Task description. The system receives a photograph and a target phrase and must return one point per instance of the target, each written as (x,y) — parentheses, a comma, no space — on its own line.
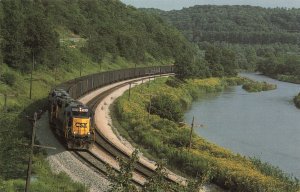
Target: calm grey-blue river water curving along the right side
(265,125)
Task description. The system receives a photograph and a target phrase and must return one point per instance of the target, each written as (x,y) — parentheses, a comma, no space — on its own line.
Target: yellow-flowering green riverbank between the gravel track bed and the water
(164,138)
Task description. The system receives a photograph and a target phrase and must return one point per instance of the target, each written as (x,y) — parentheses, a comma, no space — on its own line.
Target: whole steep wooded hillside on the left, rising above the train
(31,29)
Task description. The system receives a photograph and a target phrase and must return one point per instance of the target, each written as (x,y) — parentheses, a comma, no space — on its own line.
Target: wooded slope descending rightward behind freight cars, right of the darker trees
(114,28)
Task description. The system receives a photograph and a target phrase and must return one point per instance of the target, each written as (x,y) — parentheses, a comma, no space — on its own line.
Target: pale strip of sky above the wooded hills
(179,4)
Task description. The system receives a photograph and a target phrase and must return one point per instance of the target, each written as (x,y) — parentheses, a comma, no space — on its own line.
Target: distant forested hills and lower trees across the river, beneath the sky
(262,39)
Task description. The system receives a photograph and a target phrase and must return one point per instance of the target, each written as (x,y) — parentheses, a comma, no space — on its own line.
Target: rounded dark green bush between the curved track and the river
(166,107)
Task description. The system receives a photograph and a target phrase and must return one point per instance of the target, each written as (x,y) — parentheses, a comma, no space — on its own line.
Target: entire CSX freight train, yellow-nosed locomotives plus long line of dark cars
(72,120)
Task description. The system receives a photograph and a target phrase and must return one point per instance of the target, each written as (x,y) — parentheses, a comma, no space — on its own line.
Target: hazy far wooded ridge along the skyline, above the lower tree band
(236,24)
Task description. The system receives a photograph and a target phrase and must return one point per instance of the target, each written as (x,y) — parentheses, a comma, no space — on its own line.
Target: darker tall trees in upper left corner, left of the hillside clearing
(27,32)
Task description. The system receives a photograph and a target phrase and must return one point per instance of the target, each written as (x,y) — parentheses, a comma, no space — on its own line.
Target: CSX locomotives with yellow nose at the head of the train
(71,120)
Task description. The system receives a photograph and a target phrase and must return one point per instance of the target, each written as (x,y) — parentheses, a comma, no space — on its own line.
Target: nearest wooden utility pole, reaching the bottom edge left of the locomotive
(31,151)
